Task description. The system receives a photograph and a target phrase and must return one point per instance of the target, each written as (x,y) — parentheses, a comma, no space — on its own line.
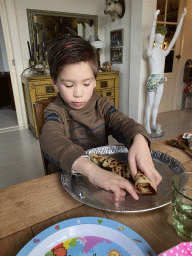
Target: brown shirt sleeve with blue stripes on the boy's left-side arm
(55,144)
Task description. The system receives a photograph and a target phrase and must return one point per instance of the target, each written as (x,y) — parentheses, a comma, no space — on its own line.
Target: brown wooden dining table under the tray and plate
(30,207)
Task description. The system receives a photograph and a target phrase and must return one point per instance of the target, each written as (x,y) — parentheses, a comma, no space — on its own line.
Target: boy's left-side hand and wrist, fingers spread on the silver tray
(104,179)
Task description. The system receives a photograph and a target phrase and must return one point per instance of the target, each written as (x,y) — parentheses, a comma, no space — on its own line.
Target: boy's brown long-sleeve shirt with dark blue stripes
(68,133)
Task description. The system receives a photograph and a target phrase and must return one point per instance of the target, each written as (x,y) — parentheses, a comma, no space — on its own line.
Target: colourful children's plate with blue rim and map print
(87,236)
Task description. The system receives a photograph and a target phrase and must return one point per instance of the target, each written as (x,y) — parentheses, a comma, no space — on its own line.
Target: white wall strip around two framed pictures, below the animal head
(124,68)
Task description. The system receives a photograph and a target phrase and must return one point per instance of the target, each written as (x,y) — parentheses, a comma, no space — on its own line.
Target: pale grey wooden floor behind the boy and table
(20,157)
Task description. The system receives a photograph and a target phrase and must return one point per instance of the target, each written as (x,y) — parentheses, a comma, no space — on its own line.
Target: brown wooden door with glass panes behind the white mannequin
(170,12)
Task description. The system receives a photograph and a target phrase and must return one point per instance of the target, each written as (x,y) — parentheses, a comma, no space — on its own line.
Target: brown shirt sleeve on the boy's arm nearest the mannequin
(120,126)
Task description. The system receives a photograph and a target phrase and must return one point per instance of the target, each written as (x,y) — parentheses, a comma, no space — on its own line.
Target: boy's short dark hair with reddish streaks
(68,50)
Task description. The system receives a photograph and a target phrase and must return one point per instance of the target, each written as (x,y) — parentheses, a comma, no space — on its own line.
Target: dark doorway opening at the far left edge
(8,116)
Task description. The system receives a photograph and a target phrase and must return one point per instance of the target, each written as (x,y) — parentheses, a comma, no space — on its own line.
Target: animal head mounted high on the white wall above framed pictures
(115,7)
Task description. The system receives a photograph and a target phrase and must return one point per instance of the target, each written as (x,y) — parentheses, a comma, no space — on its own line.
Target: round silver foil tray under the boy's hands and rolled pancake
(82,190)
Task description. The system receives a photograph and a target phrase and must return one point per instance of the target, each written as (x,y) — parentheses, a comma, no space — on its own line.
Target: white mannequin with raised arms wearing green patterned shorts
(157,78)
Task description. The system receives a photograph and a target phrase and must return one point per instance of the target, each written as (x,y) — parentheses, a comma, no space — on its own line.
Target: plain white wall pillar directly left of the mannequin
(141,20)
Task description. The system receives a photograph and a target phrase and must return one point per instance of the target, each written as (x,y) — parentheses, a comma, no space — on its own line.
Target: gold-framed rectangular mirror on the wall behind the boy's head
(47,25)
